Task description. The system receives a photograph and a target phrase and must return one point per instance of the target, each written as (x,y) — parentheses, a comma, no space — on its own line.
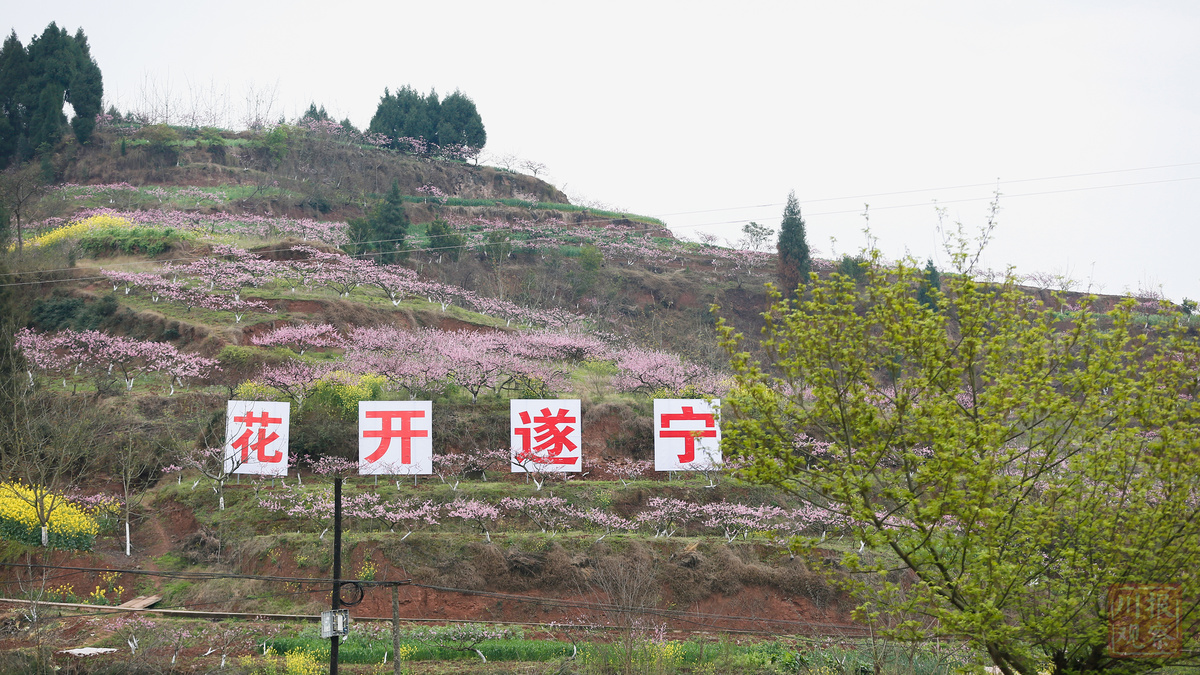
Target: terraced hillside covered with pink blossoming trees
(223,258)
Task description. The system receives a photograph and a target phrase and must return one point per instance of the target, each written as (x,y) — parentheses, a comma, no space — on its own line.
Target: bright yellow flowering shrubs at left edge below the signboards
(70,527)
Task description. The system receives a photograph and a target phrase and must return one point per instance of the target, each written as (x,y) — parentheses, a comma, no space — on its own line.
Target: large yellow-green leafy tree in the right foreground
(1013,465)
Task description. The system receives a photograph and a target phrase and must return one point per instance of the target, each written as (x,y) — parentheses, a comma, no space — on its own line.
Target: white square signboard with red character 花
(257,438)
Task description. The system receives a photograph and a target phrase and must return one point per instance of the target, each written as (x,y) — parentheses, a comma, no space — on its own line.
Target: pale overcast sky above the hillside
(707,115)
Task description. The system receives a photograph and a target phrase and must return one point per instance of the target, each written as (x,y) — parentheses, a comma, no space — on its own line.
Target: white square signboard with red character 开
(397,438)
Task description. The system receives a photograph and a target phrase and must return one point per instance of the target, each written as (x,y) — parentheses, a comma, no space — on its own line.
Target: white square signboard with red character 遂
(547,435)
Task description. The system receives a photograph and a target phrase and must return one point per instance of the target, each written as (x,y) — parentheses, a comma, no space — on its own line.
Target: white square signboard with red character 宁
(687,437)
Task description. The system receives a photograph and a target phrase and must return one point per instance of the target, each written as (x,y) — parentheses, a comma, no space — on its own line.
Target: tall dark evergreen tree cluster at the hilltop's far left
(35,82)
